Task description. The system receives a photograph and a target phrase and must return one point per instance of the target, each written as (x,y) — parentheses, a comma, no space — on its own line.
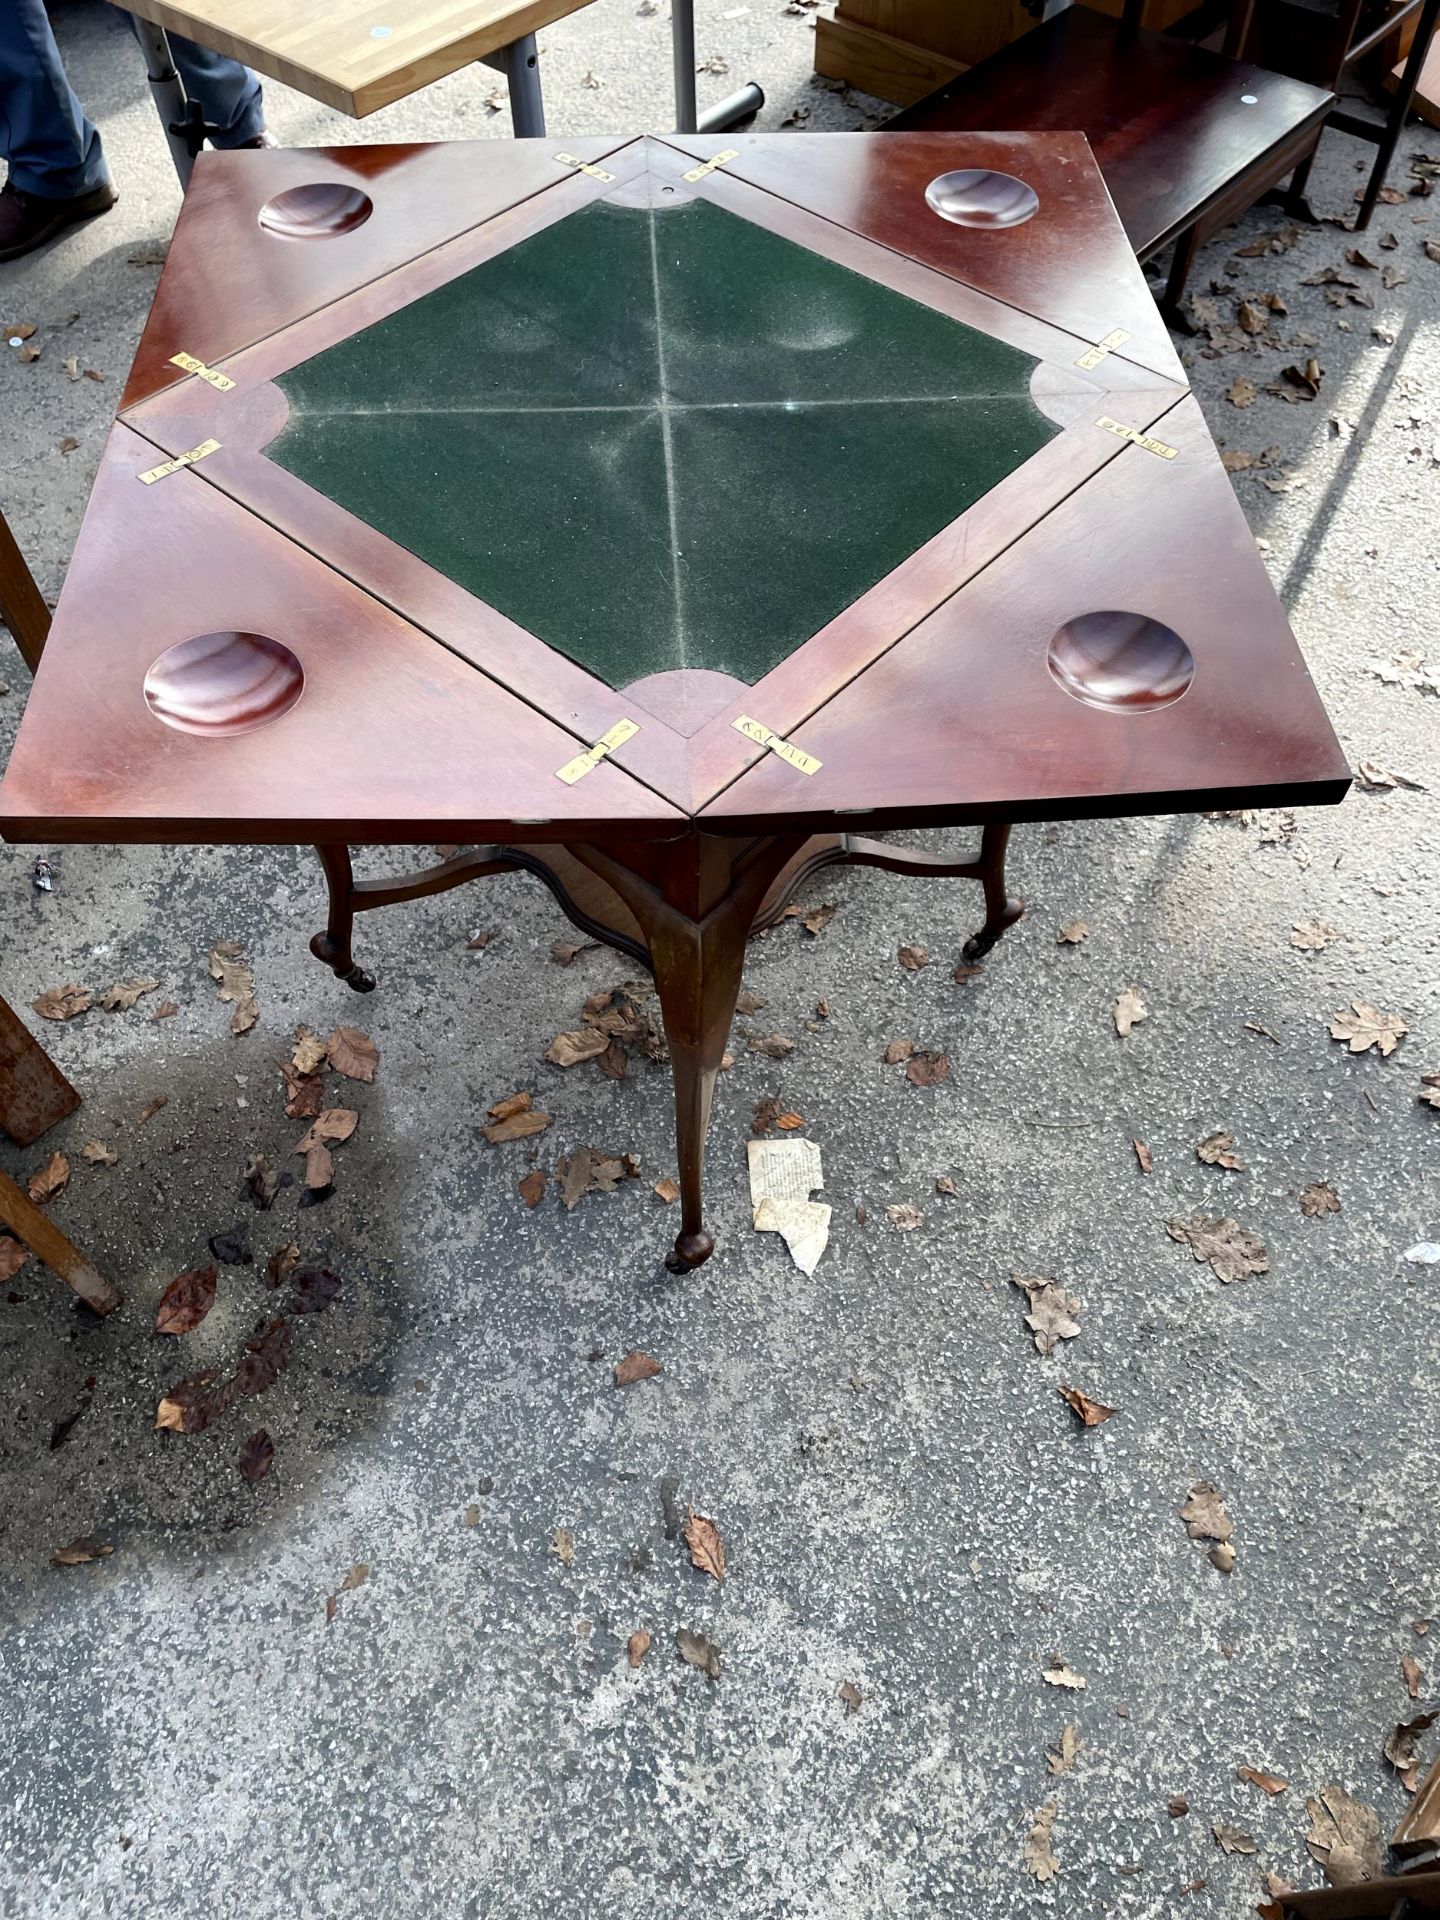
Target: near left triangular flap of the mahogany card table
(243,690)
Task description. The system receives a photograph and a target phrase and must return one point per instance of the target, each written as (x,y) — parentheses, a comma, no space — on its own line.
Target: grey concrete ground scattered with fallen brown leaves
(909,1506)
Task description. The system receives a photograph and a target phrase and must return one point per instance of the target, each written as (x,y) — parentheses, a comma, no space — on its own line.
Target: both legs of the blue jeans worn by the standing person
(45,133)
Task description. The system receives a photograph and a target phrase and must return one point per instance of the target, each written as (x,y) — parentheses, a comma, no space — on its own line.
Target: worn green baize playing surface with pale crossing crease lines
(661,439)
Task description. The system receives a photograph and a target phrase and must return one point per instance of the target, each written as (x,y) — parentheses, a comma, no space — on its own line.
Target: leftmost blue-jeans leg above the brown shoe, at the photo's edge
(45,133)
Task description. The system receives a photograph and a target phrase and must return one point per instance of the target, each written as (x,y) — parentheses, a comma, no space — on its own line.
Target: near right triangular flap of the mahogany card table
(1126,656)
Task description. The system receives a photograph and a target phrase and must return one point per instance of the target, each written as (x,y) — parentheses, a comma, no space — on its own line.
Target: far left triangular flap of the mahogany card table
(264,241)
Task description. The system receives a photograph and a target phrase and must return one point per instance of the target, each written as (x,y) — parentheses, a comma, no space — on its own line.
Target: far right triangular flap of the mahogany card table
(1070,264)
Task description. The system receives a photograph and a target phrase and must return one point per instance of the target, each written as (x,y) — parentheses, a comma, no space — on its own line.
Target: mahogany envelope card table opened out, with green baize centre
(665,517)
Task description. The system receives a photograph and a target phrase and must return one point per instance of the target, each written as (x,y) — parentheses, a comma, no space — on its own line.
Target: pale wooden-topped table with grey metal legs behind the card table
(358,57)
